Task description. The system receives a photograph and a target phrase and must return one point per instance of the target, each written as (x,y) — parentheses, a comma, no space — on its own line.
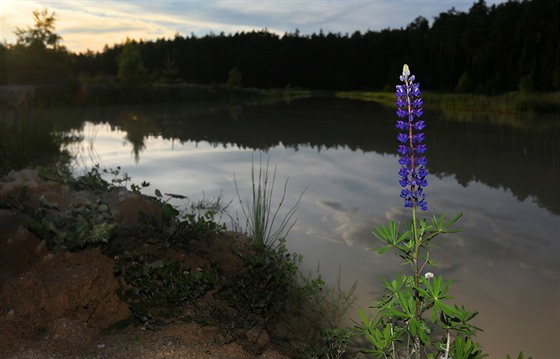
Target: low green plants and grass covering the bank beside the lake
(170,270)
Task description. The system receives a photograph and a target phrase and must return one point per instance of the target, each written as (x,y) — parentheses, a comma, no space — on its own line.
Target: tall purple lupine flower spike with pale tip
(411,147)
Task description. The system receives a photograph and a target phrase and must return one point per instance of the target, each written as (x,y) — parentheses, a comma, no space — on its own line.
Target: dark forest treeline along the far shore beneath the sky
(512,46)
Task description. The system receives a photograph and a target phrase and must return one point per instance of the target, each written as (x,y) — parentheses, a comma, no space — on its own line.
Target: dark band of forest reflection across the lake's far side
(525,160)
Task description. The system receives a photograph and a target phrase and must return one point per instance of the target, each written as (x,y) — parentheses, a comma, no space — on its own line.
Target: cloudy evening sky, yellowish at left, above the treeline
(90,25)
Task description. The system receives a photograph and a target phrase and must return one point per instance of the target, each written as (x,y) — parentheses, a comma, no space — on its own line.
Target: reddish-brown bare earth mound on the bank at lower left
(79,286)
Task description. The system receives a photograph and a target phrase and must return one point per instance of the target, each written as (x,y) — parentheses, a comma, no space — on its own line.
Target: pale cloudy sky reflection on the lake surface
(500,264)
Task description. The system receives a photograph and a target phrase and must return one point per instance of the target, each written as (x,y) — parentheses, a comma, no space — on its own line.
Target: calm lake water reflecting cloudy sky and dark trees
(502,174)
